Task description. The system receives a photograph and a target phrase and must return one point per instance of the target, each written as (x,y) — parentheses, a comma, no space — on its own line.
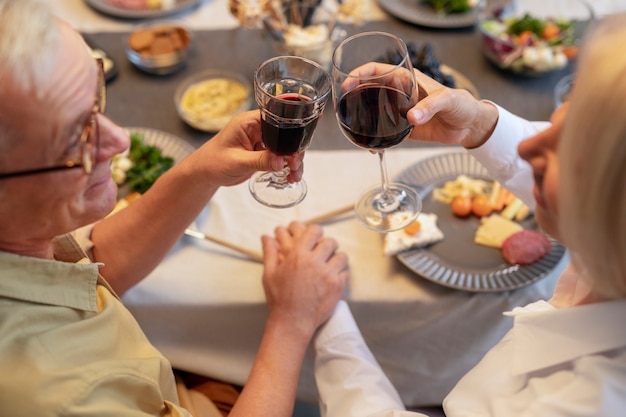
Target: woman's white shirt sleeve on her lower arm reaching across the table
(349,380)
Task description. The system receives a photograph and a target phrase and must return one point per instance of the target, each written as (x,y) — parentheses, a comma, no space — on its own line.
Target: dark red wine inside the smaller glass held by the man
(284,137)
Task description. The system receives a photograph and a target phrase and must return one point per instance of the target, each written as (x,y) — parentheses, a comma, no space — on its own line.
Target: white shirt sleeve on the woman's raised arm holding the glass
(499,154)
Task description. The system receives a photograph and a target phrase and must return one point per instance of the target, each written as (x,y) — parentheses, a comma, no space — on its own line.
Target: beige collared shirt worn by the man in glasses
(68,347)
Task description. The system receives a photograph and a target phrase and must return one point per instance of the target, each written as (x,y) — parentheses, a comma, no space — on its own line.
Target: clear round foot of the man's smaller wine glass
(274,191)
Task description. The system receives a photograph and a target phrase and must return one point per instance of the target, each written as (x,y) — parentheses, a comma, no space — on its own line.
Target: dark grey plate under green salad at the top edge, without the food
(414,11)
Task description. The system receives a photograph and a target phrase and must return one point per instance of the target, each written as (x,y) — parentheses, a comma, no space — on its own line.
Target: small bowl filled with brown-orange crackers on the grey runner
(158,48)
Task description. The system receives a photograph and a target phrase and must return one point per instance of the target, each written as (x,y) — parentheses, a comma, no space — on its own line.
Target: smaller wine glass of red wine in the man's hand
(291,93)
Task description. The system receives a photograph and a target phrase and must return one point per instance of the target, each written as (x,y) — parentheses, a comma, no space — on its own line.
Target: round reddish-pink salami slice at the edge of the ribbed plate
(525,247)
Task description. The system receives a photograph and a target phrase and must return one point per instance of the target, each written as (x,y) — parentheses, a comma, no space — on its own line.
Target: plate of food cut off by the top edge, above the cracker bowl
(140,9)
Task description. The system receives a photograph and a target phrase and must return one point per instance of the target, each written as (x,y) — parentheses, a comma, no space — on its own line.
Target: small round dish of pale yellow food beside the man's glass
(209,99)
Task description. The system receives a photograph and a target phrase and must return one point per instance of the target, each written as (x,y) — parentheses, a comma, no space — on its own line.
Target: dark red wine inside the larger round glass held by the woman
(374,116)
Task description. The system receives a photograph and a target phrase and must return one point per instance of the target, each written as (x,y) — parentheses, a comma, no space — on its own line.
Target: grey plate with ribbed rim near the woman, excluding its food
(457,262)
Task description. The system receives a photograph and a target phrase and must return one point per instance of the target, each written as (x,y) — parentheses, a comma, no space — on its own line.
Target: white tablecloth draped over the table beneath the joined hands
(204,306)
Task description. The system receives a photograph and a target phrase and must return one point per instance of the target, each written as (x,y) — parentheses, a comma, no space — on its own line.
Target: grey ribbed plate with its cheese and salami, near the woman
(470,253)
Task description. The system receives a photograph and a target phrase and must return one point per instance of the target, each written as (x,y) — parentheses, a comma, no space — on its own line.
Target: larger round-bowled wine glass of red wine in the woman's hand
(371,108)
